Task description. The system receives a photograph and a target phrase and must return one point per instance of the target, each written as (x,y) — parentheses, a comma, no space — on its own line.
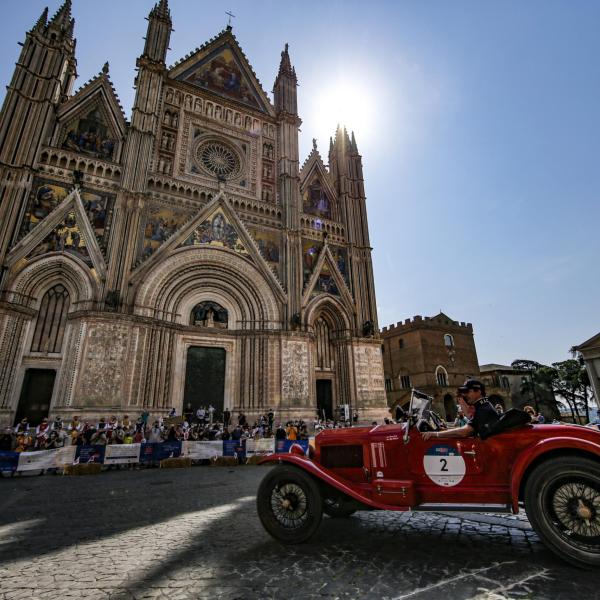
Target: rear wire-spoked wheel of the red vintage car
(562,501)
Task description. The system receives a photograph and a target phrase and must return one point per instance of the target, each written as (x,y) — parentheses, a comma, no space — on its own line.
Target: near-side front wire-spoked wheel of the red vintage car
(289,504)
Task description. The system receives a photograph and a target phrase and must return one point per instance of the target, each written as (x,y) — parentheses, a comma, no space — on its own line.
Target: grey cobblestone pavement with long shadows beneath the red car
(194,533)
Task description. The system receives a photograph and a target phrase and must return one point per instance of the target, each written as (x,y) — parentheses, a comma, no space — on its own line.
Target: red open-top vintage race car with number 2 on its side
(551,470)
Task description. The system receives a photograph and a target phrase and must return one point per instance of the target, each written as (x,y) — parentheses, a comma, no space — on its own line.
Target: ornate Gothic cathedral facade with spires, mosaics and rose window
(184,257)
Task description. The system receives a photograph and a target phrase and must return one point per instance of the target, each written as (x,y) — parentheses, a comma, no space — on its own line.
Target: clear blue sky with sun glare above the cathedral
(479,130)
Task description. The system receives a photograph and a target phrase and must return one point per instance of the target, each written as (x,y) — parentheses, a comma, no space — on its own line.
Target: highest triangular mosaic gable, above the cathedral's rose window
(221,68)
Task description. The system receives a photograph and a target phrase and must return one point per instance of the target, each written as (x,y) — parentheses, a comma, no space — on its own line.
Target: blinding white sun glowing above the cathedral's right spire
(347,104)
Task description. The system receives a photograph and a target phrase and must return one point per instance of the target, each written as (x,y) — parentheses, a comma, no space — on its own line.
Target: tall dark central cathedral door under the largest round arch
(204,379)
